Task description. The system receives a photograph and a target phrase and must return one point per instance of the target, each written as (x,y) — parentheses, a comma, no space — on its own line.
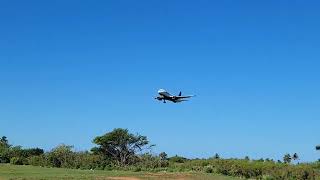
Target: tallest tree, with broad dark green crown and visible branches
(120,145)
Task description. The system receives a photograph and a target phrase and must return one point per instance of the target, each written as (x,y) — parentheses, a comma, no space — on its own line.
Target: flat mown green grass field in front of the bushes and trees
(30,172)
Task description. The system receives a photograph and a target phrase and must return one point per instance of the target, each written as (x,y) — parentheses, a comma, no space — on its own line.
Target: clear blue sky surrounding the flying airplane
(73,70)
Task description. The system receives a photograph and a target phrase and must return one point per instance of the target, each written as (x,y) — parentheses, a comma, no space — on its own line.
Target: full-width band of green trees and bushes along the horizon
(121,150)
